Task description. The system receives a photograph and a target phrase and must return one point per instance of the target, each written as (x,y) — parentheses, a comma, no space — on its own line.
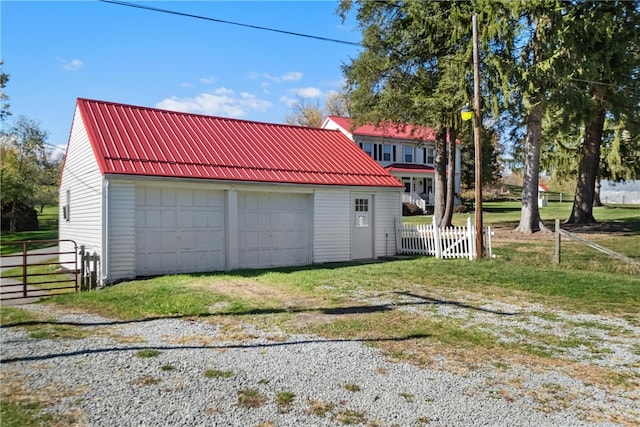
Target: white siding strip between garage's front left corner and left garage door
(120,261)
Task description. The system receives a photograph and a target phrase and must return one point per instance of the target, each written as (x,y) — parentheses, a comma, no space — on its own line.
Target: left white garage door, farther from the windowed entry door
(179,231)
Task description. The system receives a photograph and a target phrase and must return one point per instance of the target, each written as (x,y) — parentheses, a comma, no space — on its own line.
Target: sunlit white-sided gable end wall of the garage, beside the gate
(81,177)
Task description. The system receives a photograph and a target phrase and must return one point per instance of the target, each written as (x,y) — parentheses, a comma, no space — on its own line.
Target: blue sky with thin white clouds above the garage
(56,52)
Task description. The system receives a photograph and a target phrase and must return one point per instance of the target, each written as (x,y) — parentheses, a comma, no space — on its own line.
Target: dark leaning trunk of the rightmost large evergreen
(582,212)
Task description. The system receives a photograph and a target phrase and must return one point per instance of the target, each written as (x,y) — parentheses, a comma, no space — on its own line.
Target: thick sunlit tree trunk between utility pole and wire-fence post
(530,215)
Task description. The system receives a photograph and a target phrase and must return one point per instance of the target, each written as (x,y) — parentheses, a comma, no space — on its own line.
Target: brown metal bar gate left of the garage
(35,271)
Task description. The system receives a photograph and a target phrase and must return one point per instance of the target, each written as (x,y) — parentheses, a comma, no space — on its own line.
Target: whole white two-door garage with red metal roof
(156,192)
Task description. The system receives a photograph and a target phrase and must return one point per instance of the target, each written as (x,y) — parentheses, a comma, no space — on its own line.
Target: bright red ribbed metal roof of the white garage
(136,140)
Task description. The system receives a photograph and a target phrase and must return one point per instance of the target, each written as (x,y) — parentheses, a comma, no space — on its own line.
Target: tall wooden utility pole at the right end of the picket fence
(477,140)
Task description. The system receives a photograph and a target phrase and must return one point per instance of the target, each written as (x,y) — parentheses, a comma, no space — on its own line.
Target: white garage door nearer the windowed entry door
(274,229)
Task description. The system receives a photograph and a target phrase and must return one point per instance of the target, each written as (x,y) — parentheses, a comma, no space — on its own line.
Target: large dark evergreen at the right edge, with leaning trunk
(604,39)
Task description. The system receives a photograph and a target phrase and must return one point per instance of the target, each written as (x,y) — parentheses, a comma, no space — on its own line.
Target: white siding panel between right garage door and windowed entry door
(332,226)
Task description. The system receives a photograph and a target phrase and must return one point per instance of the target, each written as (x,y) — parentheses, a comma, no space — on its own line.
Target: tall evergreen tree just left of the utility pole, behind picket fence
(412,70)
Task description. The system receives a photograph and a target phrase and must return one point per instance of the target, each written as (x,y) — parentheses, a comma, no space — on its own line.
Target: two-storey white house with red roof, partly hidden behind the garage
(406,151)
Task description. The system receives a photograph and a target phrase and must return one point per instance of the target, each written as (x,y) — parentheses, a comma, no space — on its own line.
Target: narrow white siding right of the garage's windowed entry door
(387,209)
